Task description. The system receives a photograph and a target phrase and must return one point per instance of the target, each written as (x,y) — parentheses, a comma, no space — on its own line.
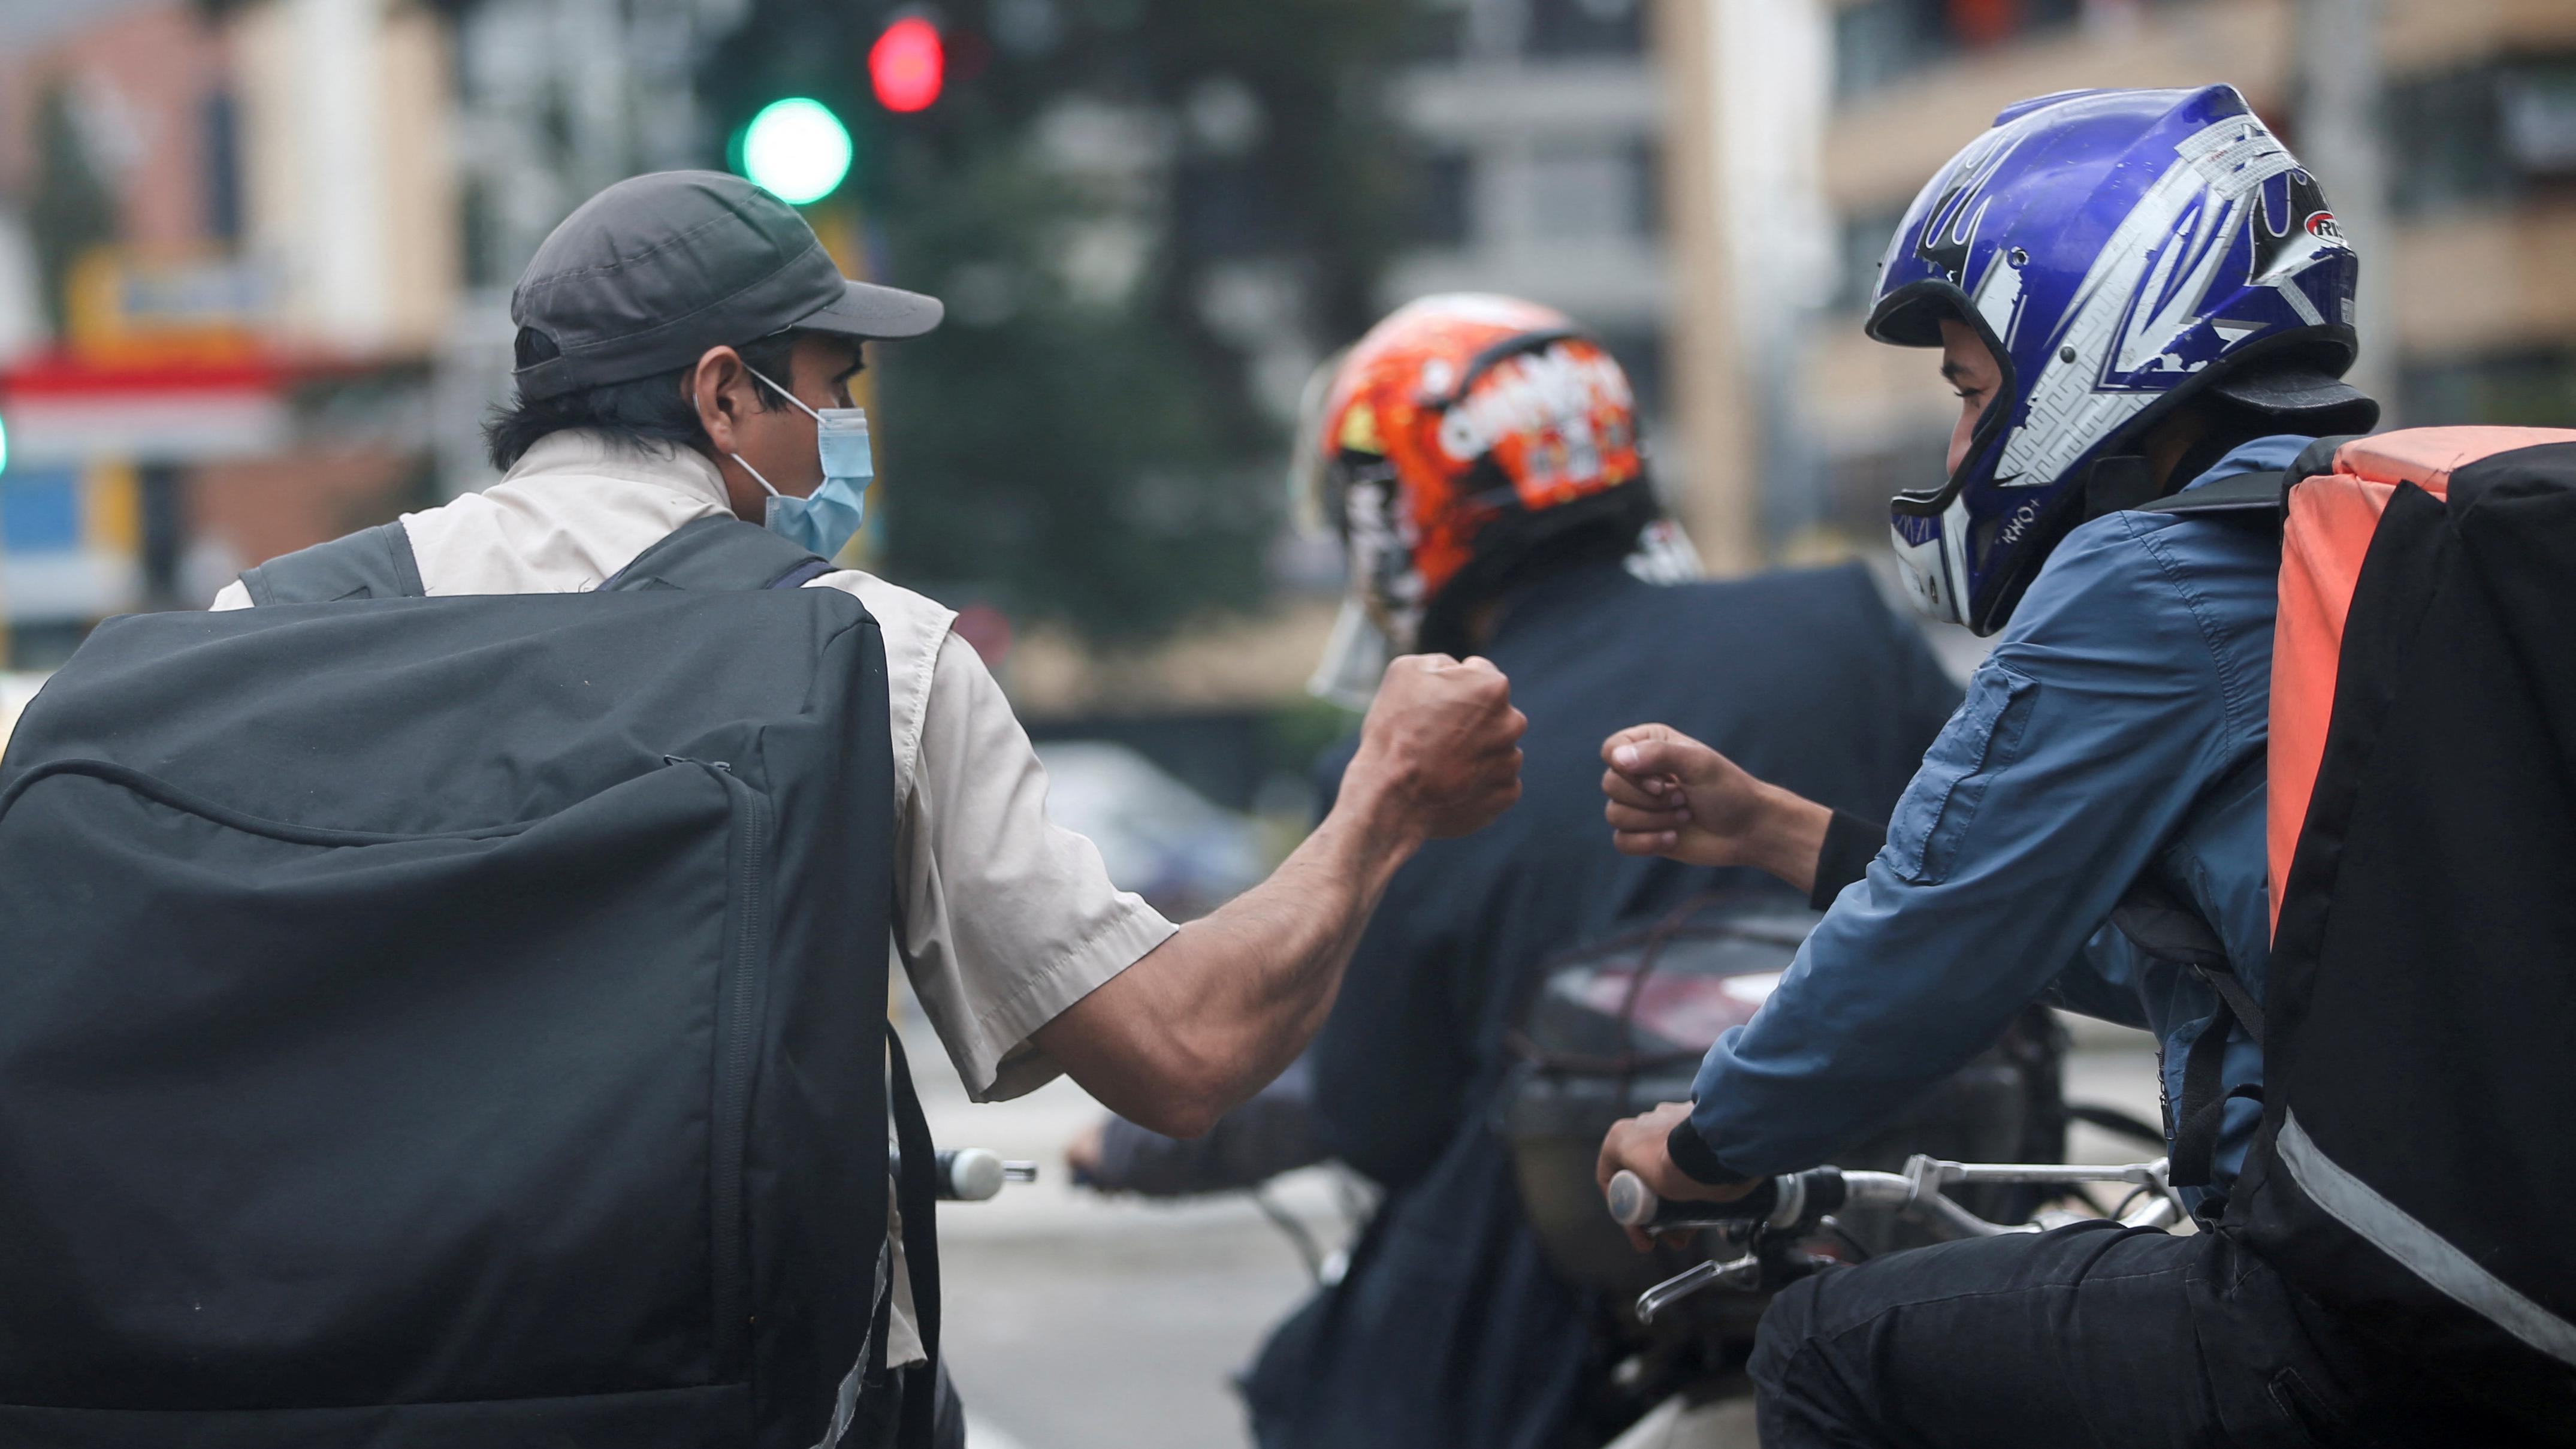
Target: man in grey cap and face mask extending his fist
(684,352)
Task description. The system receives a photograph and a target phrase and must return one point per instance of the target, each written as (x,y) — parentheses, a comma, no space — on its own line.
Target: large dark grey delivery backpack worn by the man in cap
(455,1022)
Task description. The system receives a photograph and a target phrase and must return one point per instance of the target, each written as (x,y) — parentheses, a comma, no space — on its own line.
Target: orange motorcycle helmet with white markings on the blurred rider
(1462,440)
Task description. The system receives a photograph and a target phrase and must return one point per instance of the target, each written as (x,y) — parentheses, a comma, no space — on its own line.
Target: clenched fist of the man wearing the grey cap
(1444,744)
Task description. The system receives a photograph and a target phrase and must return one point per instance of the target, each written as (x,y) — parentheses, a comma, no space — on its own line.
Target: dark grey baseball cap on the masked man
(653,272)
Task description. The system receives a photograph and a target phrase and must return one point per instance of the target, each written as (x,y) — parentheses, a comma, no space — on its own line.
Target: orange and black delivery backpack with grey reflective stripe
(2420,1020)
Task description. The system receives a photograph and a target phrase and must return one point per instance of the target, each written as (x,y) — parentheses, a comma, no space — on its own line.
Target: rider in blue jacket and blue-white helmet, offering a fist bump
(2134,293)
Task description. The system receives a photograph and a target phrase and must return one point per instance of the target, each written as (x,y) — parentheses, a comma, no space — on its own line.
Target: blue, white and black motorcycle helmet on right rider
(2124,254)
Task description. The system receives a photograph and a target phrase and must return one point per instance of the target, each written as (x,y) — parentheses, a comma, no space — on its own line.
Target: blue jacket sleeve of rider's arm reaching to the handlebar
(2083,744)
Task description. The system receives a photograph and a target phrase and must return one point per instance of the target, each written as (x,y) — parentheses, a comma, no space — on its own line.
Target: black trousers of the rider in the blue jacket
(2088,1339)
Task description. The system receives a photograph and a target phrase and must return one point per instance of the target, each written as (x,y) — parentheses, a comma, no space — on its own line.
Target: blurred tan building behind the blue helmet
(2443,133)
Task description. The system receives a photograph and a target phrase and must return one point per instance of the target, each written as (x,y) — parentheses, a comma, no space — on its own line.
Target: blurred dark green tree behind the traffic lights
(1145,218)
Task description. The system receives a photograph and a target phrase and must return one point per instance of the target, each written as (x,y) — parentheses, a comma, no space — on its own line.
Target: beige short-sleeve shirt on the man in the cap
(1003,919)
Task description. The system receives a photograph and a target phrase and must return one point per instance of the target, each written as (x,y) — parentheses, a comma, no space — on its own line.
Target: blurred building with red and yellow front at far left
(225,251)
